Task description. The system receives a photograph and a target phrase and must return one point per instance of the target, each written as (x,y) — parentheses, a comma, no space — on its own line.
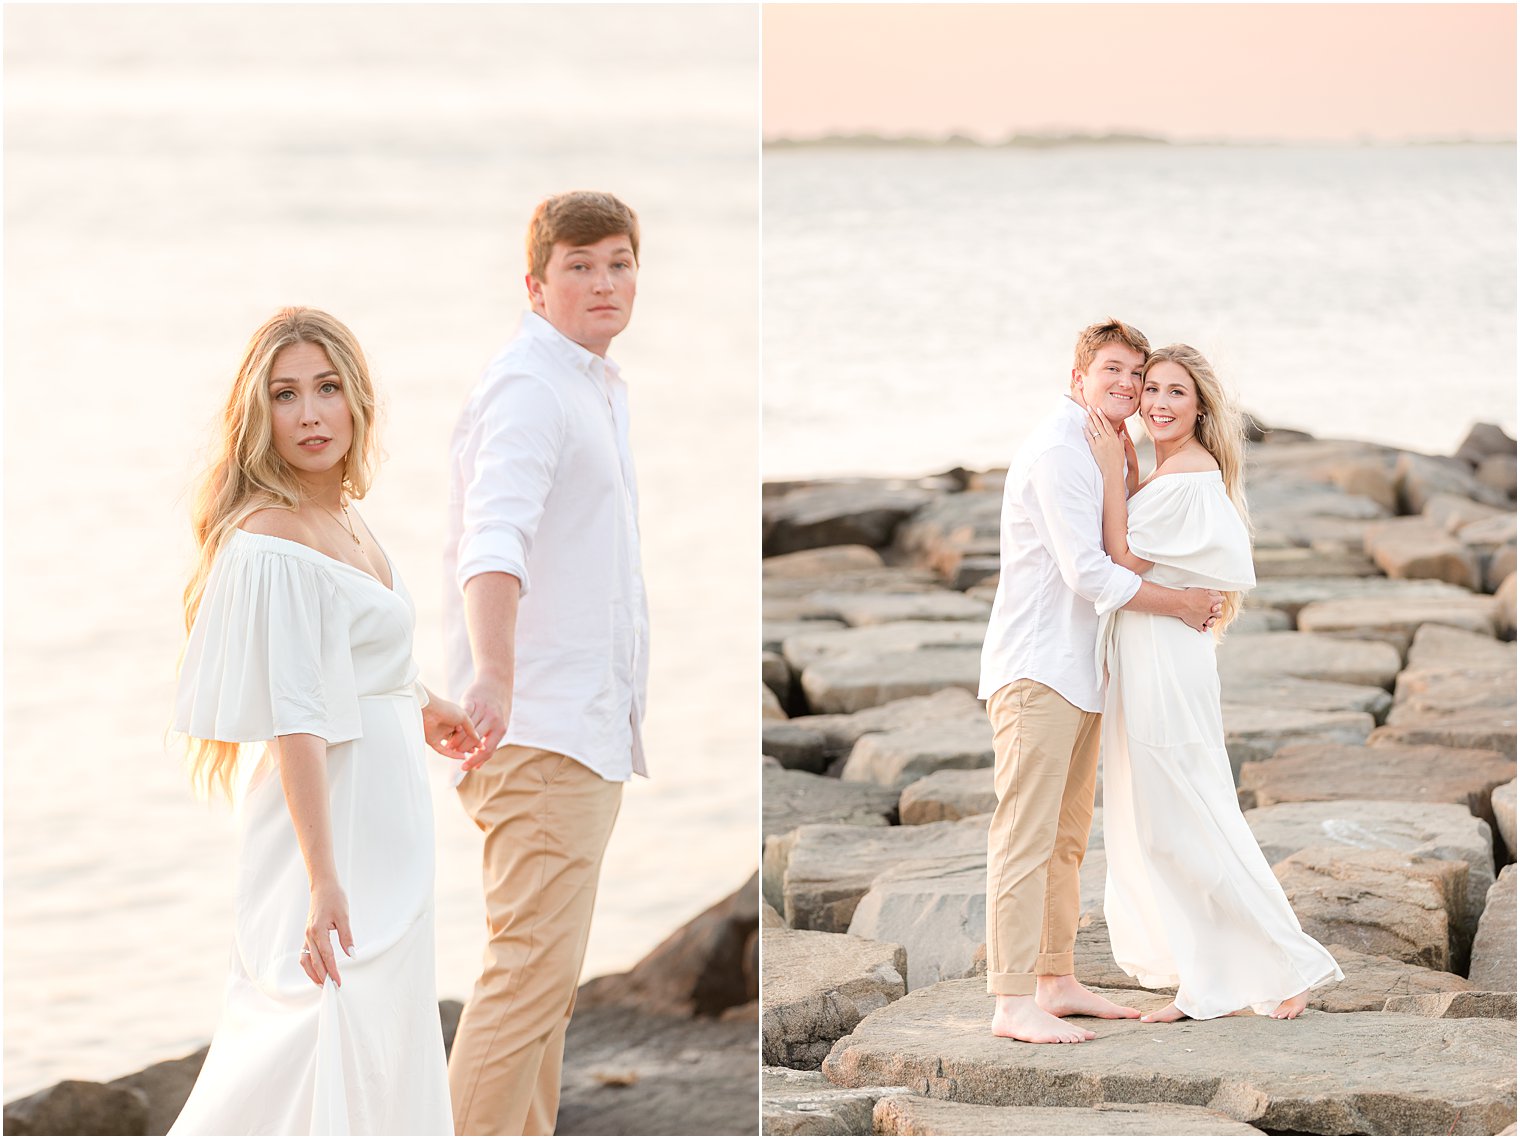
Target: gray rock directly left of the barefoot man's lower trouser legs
(934,909)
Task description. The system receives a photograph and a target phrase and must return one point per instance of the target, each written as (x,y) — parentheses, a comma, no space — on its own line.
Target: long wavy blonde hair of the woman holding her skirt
(247,474)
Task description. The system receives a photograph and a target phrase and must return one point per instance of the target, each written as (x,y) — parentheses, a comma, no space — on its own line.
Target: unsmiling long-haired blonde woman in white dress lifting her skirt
(302,639)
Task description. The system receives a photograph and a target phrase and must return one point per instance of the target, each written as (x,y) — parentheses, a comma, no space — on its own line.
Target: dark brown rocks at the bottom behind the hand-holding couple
(668,1049)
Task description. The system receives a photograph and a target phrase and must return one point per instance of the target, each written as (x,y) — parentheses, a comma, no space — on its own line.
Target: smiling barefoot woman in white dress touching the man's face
(1191,899)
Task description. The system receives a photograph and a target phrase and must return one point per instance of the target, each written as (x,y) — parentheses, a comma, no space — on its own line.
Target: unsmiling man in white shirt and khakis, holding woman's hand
(549,642)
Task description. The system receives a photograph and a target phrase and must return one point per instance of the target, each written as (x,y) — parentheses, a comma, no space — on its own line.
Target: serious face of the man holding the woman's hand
(587,291)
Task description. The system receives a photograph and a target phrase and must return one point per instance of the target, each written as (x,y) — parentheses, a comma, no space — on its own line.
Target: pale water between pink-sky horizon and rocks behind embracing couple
(922,303)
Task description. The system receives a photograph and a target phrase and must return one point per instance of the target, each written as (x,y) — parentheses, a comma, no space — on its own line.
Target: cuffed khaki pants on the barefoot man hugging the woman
(1047,770)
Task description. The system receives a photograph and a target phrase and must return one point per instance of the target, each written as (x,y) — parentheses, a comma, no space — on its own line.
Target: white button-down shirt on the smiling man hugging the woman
(1056,580)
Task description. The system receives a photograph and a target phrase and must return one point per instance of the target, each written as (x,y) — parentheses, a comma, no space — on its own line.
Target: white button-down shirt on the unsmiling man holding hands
(542,487)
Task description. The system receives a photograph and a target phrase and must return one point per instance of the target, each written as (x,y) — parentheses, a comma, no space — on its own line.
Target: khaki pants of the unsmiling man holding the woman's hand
(546,822)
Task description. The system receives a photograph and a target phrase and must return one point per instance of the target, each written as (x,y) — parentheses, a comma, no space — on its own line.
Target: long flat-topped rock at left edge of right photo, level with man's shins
(817,875)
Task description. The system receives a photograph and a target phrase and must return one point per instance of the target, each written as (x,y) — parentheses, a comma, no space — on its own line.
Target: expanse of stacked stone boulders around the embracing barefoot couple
(1369,700)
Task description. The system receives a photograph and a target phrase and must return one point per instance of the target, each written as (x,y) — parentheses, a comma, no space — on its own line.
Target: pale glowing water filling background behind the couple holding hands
(173,176)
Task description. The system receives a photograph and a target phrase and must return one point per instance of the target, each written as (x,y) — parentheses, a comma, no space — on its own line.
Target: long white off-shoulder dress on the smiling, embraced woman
(1191,901)
